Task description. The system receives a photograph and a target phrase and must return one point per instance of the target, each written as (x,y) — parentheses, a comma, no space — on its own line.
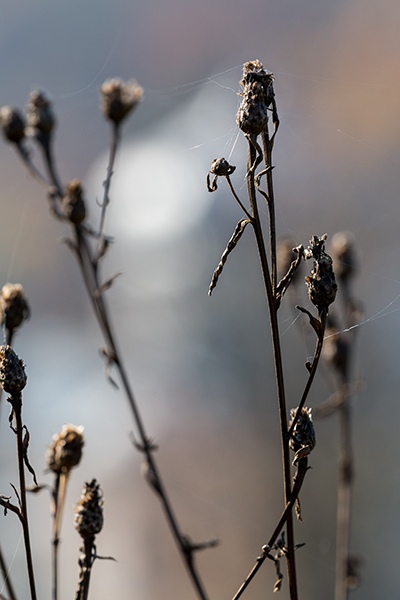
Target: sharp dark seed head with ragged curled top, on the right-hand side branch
(322,286)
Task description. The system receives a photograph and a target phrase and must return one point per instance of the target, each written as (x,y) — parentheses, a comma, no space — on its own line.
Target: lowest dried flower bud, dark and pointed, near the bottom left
(89,512)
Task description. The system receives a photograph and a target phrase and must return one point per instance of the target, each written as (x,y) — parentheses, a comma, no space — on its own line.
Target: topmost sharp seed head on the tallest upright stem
(258,94)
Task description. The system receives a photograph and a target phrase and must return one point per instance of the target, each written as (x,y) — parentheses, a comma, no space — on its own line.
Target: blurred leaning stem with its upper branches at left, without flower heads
(89,269)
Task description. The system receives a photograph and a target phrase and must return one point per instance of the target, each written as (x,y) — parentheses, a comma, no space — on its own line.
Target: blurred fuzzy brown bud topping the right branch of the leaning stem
(118,99)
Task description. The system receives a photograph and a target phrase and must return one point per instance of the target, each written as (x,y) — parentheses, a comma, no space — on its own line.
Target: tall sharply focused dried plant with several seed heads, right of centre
(257,105)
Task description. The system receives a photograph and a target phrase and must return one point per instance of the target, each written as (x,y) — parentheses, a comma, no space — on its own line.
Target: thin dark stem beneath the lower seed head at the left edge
(16,402)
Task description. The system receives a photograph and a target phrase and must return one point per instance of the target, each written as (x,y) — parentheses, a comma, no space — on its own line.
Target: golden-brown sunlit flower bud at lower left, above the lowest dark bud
(65,450)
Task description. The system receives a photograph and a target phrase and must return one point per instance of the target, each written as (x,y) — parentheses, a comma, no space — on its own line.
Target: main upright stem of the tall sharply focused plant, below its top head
(291,566)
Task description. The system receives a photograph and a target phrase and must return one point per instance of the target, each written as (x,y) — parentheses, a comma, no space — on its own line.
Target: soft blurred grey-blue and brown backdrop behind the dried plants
(202,367)
